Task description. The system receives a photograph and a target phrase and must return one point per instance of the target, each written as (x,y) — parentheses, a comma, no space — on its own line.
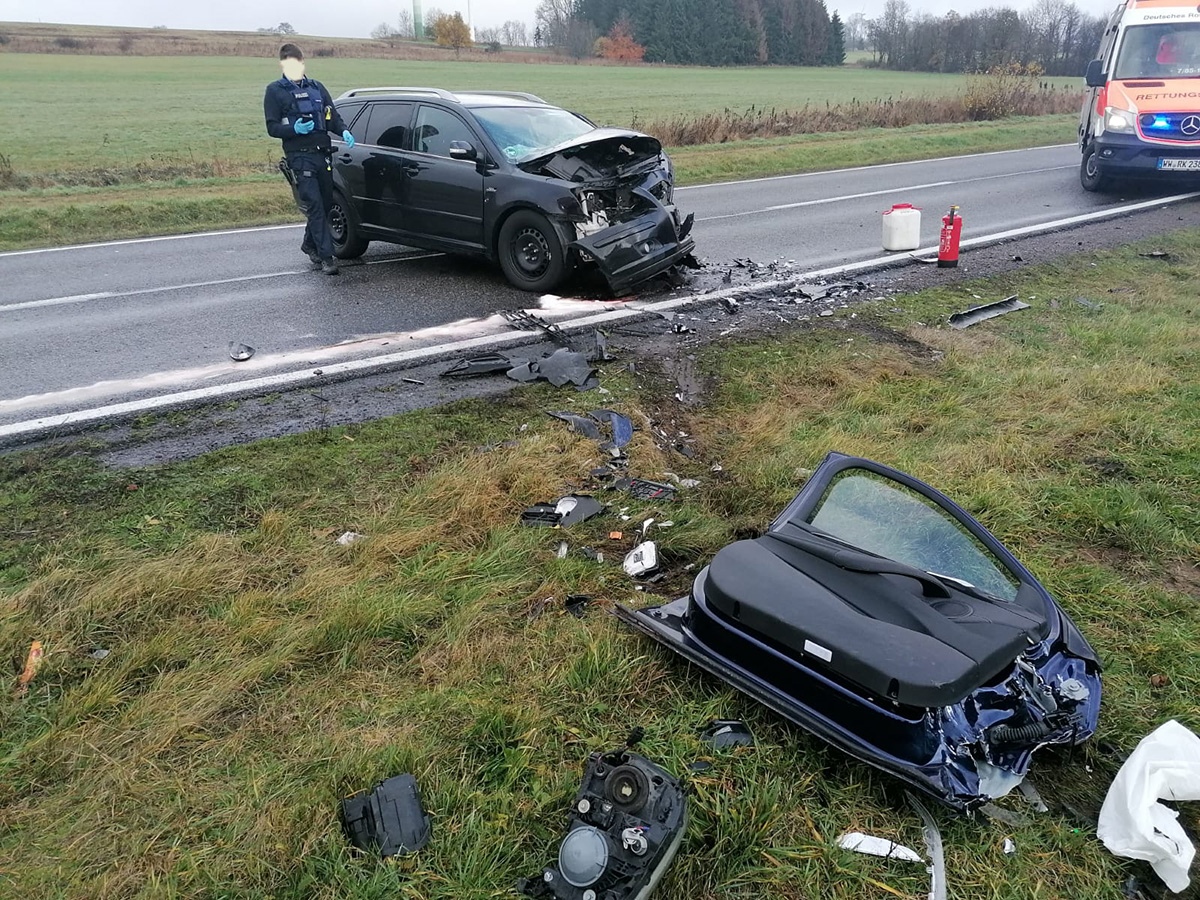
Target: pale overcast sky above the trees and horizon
(352,19)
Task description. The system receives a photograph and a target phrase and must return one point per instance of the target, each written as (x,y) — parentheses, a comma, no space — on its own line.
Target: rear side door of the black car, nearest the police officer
(381,163)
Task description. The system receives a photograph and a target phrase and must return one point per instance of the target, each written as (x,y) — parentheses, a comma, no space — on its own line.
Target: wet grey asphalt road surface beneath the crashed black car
(91,326)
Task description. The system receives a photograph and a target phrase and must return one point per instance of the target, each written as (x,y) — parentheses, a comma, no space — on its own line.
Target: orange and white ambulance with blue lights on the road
(1142,112)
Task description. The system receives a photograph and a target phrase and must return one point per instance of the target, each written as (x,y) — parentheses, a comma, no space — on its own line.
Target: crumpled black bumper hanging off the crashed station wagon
(639,249)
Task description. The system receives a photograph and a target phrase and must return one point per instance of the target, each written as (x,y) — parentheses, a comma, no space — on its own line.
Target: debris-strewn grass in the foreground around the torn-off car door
(257,671)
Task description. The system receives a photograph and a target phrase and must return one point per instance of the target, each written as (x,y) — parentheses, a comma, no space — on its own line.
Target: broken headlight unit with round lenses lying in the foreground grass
(623,830)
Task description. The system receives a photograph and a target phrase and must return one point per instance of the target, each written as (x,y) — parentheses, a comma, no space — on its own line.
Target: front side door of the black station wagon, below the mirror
(445,197)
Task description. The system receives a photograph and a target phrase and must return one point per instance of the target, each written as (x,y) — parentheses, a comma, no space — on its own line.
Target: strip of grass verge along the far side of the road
(49,218)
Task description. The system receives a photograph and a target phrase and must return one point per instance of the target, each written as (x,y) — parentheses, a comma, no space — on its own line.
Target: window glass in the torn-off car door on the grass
(885,518)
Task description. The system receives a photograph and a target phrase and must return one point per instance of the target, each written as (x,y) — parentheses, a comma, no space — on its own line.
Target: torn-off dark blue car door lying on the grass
(880,616)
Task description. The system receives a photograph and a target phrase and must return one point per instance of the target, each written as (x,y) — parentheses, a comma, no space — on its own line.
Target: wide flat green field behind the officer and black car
(172,109)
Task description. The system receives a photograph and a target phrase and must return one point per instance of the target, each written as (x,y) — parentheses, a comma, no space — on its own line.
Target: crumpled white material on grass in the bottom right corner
(1165,766)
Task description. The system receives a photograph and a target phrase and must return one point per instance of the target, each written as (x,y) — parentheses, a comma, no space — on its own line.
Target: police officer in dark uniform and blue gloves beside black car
(302,115)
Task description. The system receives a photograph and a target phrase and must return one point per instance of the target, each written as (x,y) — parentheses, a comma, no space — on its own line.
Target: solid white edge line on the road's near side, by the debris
(32,428)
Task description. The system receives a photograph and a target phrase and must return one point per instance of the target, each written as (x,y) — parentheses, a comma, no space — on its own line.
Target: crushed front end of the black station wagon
(621,206)
